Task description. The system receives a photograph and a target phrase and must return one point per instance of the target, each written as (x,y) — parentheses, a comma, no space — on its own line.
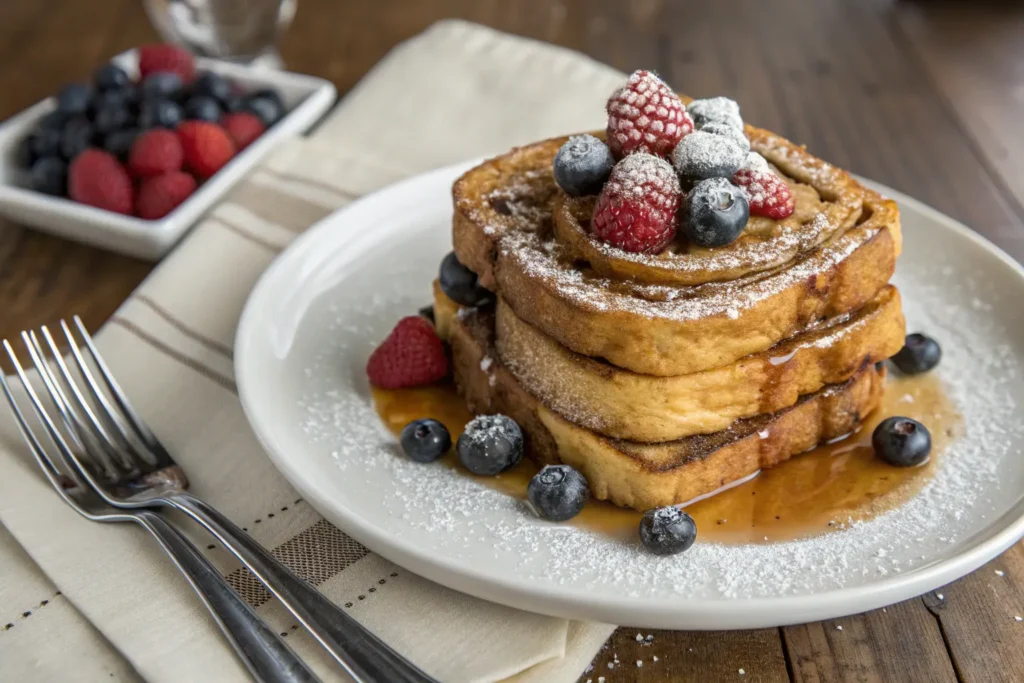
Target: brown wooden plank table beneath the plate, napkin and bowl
(925,97)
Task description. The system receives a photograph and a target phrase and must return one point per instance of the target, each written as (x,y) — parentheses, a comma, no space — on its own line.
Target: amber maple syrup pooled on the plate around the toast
(809,495)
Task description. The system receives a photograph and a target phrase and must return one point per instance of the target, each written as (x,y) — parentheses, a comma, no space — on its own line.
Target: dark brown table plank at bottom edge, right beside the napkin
(686,657)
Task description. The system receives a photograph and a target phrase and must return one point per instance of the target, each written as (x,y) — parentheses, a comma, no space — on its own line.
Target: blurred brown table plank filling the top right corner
(975,60)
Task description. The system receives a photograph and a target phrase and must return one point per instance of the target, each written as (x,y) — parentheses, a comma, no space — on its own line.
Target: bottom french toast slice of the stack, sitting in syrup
(649,476)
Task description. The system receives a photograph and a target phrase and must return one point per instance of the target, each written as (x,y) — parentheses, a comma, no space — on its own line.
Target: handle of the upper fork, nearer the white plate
(364,656)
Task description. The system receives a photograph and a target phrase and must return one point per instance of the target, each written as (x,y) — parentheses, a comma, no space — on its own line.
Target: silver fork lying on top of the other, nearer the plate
(138,473)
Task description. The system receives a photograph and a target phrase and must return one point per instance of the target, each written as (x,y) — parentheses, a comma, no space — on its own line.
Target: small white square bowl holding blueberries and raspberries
(306,98)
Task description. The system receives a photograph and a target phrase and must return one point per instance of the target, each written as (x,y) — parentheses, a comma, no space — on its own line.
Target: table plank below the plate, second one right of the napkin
(900,644)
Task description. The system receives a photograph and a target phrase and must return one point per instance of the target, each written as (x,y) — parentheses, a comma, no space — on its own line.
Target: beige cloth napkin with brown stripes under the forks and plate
(84,602)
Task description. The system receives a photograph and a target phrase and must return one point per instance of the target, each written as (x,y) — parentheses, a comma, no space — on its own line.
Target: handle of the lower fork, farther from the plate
(267,657)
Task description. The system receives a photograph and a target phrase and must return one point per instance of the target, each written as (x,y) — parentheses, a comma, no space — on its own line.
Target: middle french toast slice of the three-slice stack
(650,409)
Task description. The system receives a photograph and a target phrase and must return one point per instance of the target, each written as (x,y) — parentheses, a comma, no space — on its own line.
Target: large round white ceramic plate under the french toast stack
(320,310)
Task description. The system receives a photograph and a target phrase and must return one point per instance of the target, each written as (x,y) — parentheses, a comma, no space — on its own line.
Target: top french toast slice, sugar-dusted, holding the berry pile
(503,230)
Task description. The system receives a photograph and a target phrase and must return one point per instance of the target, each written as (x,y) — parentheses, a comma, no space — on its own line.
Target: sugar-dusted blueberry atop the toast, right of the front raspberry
(715,214)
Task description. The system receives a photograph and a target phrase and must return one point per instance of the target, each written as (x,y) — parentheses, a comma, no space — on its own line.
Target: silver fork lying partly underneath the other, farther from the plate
(264,653)
